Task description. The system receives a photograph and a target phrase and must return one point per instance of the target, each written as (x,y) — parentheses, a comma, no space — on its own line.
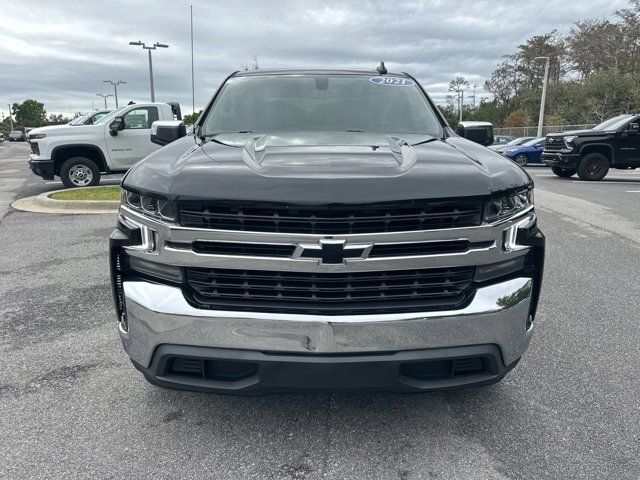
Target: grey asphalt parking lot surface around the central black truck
(72,406)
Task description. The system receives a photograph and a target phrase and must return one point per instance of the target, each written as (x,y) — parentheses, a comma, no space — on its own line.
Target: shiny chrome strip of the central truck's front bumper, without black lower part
(159,314)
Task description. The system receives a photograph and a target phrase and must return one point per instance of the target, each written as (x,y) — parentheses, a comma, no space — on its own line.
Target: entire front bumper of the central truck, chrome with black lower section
(360,351)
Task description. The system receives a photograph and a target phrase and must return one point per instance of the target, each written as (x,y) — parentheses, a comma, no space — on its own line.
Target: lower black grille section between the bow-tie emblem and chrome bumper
(330,293)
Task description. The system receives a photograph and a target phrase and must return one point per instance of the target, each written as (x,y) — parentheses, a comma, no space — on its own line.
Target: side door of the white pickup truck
(134,142)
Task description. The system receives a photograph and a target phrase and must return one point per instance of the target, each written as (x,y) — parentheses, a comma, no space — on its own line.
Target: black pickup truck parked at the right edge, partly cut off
(615,143)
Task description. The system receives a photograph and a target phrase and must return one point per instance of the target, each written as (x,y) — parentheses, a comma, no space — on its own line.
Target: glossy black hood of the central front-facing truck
(354,168)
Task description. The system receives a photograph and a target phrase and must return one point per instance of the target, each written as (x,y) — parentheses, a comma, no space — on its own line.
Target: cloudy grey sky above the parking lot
(59,52)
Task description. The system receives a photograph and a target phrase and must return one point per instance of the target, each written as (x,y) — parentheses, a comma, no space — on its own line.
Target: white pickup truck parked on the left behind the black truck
(80,154)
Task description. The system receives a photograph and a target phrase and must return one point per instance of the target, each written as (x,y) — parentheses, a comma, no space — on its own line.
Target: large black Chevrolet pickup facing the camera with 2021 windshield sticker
(307,238)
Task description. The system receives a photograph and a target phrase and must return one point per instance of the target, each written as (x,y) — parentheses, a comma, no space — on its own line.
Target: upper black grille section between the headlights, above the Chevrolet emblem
(331,219)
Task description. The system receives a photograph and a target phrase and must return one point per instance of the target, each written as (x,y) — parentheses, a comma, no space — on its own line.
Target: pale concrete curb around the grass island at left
(44,204)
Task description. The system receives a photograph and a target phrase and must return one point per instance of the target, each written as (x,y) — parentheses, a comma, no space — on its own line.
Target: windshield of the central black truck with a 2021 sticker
(277,104)
